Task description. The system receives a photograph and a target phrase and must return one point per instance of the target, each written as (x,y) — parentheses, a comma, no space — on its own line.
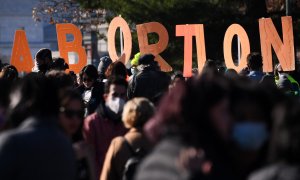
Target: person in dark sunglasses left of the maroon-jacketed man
(71,115)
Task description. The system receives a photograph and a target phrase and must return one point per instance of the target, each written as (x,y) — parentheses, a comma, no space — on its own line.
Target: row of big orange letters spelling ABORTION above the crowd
(269,37)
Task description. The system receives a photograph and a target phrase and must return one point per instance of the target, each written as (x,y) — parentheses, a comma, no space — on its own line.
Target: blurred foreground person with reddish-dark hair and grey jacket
(192,128)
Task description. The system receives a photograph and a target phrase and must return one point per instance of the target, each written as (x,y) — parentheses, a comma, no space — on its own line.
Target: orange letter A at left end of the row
(21,56)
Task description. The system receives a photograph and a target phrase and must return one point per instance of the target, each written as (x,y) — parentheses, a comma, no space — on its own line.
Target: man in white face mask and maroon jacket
(105,124)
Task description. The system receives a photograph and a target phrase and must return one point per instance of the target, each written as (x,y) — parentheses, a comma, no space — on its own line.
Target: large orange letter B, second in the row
(73,46)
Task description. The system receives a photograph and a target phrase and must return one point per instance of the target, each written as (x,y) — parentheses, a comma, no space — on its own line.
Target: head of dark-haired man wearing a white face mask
(115,94)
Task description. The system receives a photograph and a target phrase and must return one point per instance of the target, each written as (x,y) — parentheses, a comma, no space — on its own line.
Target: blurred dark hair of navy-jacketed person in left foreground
(34,95)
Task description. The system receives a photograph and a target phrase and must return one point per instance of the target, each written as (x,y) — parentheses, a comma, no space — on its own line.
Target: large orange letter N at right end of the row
(284,50)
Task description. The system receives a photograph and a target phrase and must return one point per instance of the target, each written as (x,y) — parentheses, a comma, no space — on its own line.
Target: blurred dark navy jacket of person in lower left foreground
(36,150)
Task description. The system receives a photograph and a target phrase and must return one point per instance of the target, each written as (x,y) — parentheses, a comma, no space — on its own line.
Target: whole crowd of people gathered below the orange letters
(217,124)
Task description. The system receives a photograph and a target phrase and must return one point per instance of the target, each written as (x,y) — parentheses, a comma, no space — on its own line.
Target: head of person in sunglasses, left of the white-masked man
(71,114)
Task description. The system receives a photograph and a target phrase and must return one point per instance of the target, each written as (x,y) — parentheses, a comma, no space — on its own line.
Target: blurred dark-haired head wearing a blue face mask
(251,109)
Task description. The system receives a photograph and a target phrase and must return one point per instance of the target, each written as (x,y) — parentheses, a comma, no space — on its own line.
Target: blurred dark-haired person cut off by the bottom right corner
(284,157)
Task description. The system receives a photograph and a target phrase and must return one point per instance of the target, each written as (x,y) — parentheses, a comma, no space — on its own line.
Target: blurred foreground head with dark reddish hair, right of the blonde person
(198,111)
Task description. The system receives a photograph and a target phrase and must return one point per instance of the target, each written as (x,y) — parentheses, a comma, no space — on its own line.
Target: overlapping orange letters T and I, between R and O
(188,31)
